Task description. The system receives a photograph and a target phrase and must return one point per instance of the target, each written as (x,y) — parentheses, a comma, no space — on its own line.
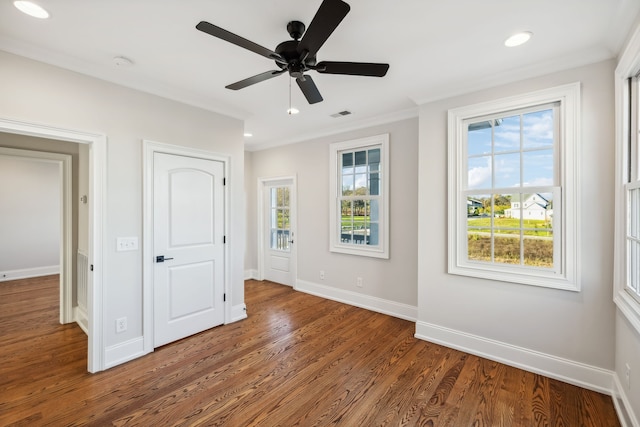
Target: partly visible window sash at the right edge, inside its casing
(632,190)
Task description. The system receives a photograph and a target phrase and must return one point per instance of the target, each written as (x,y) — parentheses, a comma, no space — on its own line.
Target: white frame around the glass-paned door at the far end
(262,182)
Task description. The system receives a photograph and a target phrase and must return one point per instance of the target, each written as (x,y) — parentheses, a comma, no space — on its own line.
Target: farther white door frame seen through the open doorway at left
(66,245)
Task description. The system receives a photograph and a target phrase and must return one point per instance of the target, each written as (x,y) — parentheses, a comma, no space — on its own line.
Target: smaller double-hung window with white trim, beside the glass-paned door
(359,188)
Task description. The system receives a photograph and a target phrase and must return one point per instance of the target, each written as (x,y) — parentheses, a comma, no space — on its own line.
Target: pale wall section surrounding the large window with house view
(560,332)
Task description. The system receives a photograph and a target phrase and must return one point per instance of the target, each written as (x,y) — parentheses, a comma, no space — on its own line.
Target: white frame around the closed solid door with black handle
(148,257)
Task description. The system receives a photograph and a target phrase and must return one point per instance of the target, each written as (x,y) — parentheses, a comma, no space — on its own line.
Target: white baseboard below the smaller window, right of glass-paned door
(379,305)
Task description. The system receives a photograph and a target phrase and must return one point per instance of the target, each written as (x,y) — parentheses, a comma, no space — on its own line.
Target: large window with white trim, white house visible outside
(512,189)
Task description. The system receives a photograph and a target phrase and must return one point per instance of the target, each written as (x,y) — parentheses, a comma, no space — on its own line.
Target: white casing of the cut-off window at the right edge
(628,65)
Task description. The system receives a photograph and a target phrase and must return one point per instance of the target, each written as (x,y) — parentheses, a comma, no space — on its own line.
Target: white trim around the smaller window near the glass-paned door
(335,245)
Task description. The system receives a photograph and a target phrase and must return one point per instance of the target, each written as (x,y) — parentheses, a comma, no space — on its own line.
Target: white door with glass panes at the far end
(279,226)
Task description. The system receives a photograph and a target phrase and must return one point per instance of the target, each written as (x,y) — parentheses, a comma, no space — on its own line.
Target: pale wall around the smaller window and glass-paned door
(392,282)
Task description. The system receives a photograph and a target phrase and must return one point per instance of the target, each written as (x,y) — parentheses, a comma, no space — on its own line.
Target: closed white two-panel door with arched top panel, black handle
(188,238)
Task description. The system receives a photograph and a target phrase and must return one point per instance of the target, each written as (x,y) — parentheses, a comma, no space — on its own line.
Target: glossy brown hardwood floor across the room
(298,360)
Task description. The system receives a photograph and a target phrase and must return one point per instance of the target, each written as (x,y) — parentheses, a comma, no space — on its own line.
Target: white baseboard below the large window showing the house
(572,372)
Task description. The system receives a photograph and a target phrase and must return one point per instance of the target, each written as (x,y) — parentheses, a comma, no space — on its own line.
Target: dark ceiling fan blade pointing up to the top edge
(328,17)
